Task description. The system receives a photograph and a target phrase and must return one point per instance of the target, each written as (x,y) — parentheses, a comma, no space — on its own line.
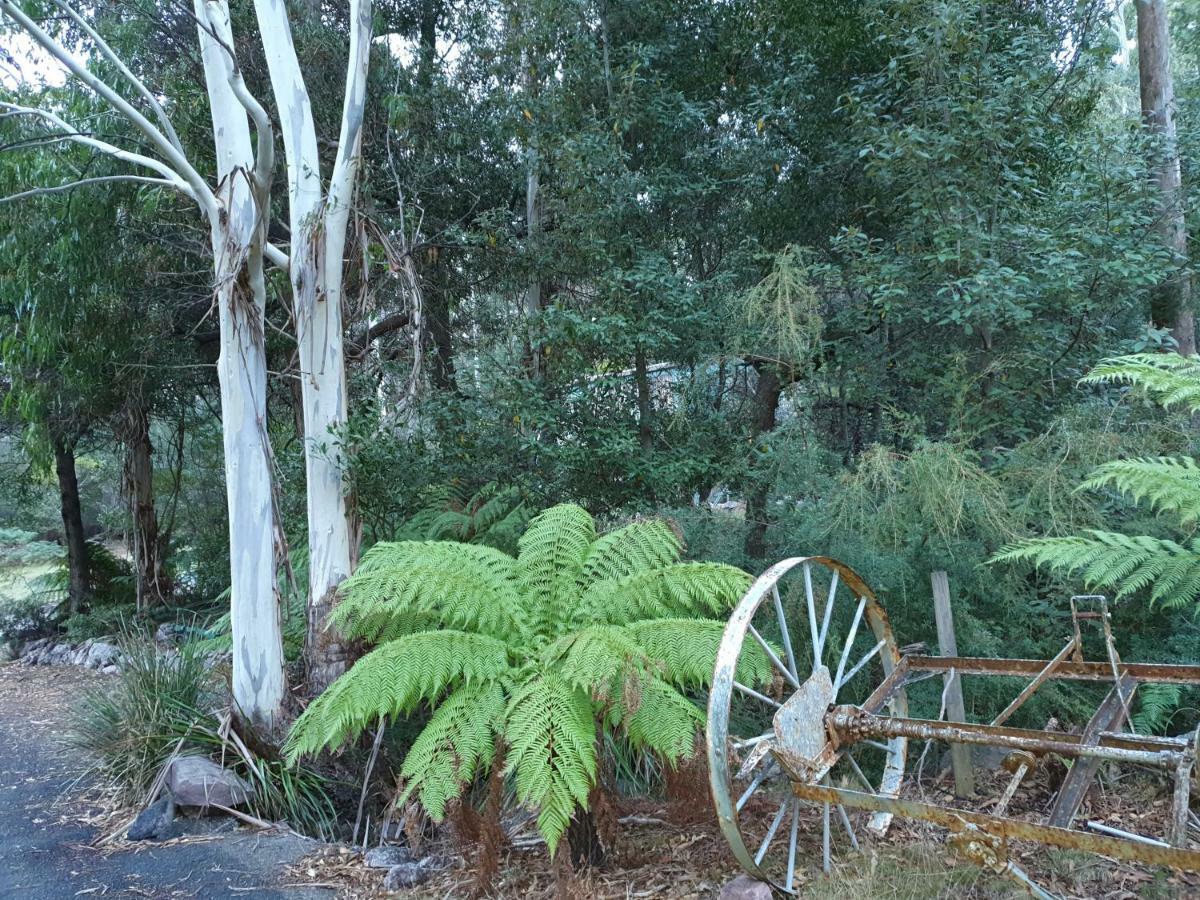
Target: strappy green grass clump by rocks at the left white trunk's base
(167,704)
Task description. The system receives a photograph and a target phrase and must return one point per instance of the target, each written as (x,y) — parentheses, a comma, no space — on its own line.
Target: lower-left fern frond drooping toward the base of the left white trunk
(393,680)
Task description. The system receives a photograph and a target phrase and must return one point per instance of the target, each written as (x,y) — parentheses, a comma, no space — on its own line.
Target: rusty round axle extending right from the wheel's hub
(854,725)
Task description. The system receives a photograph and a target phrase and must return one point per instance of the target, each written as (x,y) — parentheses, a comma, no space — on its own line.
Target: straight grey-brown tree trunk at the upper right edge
(1172,303)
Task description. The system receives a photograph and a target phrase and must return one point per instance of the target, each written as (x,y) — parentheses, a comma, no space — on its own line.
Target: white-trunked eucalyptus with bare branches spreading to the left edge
(235,211)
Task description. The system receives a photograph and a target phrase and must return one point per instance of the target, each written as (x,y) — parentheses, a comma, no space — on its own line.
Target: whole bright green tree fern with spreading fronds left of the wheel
(578,633)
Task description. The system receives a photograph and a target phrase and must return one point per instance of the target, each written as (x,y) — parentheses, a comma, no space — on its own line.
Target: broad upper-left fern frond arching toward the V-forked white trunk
(463,586)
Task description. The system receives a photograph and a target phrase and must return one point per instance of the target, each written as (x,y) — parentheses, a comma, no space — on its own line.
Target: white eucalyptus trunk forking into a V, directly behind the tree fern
(319,223)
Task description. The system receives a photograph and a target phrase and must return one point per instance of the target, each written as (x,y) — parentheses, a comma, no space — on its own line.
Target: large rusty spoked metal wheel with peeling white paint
(794,647)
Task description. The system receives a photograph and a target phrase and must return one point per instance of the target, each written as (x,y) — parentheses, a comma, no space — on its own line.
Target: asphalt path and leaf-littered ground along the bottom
(57,842)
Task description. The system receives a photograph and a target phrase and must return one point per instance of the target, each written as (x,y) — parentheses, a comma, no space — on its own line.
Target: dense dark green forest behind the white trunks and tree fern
(802,279)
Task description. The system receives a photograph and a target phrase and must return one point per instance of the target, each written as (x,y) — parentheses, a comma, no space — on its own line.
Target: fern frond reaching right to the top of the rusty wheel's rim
(680,590)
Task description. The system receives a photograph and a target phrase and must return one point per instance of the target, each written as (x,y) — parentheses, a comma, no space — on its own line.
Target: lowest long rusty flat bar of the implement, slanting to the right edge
(1010,829)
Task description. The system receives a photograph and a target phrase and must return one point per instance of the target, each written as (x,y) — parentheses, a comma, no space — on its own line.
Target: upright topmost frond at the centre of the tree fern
(550,565)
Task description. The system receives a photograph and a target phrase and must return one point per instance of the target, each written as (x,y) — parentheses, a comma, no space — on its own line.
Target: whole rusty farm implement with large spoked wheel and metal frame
(825,737)
